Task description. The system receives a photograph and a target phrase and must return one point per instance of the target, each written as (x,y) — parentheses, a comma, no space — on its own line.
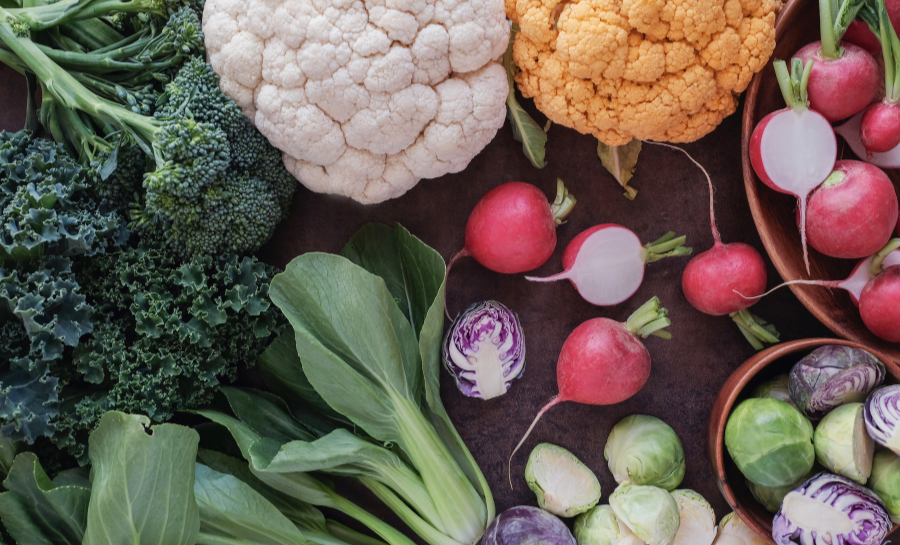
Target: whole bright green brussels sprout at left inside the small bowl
(770,441)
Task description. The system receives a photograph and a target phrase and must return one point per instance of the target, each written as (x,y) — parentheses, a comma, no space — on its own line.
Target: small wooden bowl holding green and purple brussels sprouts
(762,367)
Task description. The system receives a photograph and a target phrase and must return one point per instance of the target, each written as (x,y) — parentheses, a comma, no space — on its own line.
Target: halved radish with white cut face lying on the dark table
(606,262)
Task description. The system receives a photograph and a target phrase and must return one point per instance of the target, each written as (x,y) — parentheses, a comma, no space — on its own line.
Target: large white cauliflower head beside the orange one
(365,97)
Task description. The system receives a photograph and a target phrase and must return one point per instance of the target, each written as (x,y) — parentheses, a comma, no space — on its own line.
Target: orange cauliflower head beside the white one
(665,70)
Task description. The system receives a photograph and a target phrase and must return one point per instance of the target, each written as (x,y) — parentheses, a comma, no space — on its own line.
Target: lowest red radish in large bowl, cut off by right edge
(879,304)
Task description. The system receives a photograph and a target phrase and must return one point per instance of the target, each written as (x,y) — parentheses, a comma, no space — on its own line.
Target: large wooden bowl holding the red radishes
(773,212)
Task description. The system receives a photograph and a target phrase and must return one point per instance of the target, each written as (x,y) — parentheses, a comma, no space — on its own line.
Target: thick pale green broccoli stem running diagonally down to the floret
(73,94)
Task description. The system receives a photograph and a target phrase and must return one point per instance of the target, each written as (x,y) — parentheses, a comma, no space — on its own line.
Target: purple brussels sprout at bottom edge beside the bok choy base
(526,525)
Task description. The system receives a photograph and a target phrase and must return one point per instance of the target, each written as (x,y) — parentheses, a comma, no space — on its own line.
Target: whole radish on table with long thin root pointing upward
(712,280)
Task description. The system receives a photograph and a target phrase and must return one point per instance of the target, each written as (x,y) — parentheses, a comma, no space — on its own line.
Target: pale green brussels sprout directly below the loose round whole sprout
(649,511)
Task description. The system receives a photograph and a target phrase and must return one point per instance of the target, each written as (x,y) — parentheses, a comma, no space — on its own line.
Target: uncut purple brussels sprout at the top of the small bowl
(831,376)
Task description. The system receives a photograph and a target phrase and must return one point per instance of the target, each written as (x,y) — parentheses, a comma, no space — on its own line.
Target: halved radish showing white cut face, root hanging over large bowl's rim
(793,150)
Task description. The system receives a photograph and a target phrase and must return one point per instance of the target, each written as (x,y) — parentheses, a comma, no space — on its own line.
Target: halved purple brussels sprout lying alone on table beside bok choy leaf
(485,350)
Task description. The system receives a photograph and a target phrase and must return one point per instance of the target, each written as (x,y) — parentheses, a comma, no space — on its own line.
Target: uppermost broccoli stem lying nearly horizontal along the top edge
(67,11)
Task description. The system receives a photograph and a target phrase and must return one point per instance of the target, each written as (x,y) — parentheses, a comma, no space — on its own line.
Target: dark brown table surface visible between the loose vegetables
(687,370)
